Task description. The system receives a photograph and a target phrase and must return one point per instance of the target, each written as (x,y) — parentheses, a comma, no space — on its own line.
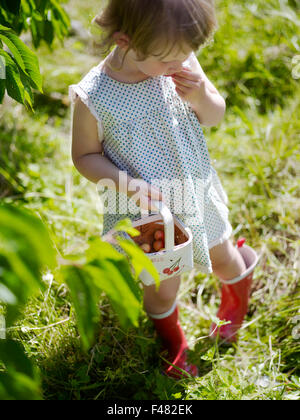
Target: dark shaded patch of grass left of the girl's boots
(123,365)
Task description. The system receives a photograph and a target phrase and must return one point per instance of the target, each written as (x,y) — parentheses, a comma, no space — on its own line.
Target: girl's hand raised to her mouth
(190,86)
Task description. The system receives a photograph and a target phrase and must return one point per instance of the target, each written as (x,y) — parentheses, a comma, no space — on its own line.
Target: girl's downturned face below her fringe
(156,66)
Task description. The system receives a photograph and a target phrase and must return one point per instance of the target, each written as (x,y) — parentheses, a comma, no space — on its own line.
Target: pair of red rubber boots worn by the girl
(234,307)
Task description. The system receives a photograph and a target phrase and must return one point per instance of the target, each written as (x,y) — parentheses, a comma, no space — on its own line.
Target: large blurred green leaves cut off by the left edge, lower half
(25,249)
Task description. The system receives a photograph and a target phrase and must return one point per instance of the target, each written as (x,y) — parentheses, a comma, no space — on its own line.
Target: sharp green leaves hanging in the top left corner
(19,65)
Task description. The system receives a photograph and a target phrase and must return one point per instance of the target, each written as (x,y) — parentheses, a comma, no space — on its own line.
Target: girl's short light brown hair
(154,24)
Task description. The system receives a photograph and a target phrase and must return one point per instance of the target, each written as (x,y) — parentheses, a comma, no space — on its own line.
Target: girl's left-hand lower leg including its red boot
(162,309)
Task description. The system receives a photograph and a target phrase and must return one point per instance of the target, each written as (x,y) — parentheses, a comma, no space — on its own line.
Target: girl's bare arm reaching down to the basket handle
(87,150)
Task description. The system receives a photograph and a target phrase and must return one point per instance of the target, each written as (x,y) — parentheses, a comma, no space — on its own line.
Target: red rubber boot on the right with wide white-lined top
(235,297)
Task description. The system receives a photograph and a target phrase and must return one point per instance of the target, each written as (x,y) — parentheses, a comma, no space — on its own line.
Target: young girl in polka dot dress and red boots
(140,112)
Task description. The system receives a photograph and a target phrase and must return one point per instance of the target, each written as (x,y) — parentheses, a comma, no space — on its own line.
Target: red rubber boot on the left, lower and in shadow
(168,328)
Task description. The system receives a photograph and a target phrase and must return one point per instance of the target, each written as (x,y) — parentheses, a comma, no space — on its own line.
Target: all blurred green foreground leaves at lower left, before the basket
(26,249)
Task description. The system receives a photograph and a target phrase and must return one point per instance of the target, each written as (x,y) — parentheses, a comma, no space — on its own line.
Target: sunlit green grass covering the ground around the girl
(256,153)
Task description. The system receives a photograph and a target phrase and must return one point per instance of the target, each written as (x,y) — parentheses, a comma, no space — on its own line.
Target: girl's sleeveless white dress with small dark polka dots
(152,134)
